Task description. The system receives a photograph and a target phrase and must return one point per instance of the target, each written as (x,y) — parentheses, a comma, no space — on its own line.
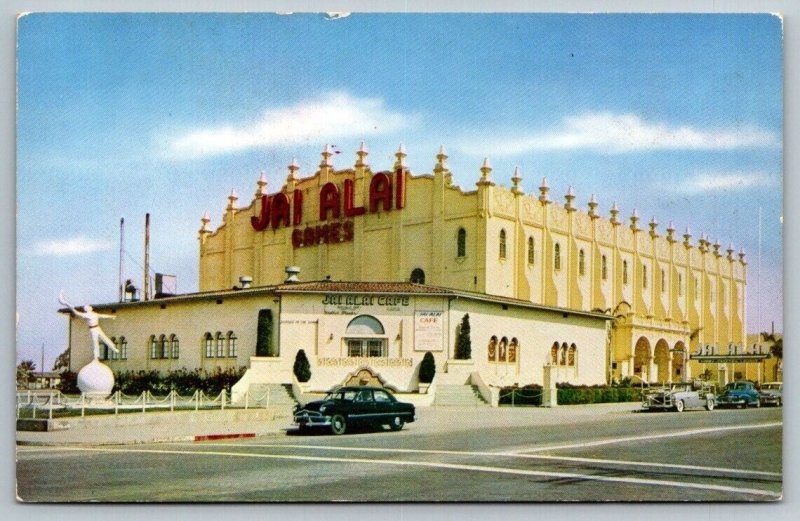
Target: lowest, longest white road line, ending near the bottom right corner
(448,466)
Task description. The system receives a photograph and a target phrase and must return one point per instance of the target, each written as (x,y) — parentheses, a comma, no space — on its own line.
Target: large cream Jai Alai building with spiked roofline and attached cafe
(599,297)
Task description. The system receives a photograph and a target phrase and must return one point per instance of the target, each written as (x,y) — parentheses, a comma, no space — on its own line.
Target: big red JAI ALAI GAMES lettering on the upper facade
(336,209)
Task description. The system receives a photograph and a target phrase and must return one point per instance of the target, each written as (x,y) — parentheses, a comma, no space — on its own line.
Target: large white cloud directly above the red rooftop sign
(324,119)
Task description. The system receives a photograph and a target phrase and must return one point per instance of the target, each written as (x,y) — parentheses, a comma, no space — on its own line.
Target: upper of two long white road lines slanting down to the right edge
(718,470)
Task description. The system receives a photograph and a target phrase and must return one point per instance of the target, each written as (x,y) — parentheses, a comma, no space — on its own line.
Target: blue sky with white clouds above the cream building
(118,115)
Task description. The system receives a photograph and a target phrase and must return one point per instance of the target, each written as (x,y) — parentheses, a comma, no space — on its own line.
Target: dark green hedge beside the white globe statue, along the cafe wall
(183,381)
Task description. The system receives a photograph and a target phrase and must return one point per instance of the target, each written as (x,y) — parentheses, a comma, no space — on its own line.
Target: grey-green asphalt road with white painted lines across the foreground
(724,455)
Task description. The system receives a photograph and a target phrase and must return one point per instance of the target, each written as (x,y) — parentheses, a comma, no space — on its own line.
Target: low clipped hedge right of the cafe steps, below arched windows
(570,394)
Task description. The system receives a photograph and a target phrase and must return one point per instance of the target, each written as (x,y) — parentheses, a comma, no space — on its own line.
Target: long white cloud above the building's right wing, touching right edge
(610,133)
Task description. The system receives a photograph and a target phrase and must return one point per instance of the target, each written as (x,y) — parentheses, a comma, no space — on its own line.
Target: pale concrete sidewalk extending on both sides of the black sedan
(151,427)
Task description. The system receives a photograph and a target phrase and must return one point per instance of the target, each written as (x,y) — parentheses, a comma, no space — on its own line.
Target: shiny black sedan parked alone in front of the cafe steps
(352,406)
